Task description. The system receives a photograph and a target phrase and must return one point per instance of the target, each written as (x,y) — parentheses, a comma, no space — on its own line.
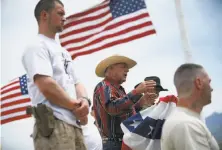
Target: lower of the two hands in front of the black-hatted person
(148,99)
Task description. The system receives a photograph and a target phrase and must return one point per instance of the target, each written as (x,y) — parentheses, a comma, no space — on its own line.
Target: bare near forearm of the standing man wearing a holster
(54,93)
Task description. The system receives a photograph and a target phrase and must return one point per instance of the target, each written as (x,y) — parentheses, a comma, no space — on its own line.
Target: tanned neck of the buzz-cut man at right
(190,102)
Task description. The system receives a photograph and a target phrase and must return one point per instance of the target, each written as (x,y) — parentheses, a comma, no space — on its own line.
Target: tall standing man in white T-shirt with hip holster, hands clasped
(52,83)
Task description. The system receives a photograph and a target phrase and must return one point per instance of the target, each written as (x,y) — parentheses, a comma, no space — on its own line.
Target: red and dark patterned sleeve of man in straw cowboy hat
(113,105)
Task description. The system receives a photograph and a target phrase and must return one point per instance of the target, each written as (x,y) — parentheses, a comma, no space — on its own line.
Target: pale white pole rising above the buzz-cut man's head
(183,33)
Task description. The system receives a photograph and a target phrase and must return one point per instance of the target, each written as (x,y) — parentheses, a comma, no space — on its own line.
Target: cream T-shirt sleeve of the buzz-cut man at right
(189,136)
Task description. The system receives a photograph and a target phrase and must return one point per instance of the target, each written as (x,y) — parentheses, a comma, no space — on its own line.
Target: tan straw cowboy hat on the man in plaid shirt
(115,59)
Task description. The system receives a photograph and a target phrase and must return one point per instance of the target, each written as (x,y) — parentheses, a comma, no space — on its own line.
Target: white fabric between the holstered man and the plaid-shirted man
(91,135)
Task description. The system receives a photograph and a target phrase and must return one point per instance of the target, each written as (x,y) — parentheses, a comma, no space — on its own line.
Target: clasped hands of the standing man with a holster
(82,110)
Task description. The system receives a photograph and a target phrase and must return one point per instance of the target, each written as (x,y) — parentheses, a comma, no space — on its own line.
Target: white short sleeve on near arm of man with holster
(36,60)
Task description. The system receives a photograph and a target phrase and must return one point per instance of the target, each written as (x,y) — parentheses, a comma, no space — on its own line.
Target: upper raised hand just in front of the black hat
(145,86)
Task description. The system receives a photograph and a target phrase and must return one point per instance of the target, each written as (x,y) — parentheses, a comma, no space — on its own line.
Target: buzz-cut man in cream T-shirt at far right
(184,129)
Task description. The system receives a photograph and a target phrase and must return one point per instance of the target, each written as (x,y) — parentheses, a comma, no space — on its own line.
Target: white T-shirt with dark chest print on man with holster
(46,57)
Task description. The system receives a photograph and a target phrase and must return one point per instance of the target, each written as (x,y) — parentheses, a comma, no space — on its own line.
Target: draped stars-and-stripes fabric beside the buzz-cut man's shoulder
(143,130)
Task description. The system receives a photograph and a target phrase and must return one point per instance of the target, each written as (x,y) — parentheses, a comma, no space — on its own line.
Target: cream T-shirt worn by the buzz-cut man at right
(184,130)
